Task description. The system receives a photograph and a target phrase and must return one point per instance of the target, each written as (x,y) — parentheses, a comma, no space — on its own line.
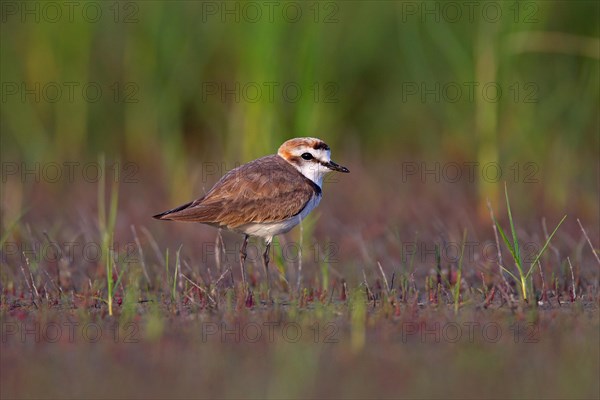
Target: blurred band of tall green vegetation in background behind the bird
(378,80)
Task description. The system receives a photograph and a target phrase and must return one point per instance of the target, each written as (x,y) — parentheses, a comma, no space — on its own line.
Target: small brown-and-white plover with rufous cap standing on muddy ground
(265,197)
